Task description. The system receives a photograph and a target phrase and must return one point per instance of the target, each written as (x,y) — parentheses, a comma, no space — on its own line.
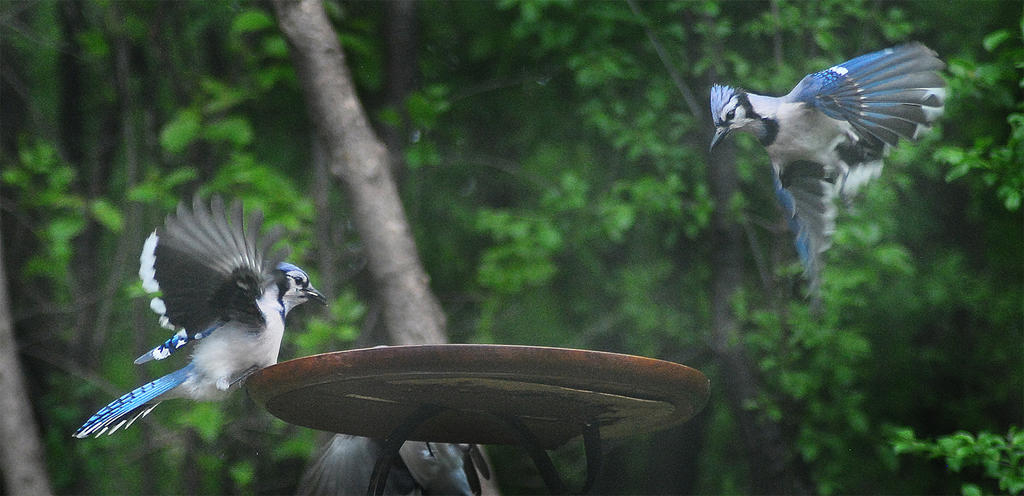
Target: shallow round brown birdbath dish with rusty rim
(554,392)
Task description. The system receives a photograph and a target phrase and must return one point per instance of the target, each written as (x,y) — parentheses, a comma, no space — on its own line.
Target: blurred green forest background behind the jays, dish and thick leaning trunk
(552,159)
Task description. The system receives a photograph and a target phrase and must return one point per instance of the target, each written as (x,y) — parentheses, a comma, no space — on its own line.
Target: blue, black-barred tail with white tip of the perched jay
(133,406)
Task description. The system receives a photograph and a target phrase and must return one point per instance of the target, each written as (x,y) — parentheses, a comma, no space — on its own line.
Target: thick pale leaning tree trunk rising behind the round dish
(412,315)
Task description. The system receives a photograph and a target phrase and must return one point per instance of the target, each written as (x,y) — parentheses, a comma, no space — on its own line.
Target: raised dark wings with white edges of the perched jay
(210,267)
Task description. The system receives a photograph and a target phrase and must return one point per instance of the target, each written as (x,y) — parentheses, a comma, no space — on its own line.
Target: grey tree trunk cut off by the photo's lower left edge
(22,461)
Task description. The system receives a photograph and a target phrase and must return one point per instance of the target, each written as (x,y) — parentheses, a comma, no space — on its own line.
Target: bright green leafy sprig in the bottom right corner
(1000,457)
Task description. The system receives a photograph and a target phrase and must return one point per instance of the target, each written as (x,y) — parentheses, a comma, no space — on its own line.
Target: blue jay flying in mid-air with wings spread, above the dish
(828,137)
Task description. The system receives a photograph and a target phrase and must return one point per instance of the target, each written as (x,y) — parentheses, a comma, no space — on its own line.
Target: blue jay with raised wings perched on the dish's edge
(222,286)
